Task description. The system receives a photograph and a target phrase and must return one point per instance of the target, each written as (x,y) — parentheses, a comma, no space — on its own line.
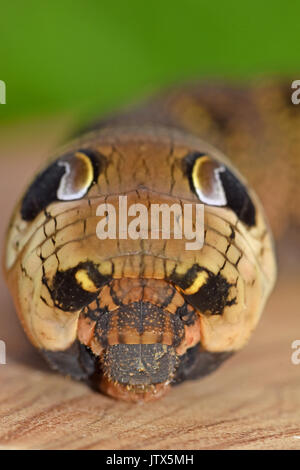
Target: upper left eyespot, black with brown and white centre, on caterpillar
(68,178)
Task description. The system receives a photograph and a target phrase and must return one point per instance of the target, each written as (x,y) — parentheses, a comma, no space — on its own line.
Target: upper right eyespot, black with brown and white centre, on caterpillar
(216,185)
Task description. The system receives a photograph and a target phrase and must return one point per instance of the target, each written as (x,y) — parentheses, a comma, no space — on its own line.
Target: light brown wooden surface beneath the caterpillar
(252,402)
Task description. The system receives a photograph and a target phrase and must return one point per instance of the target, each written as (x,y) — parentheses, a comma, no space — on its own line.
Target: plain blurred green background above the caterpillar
(83,56)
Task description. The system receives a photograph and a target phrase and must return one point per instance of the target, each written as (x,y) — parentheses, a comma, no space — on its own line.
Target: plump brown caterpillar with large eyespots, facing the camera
(135,316)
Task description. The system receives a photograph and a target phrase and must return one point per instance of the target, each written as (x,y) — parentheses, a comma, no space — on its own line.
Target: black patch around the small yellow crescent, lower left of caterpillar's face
(68,294)
